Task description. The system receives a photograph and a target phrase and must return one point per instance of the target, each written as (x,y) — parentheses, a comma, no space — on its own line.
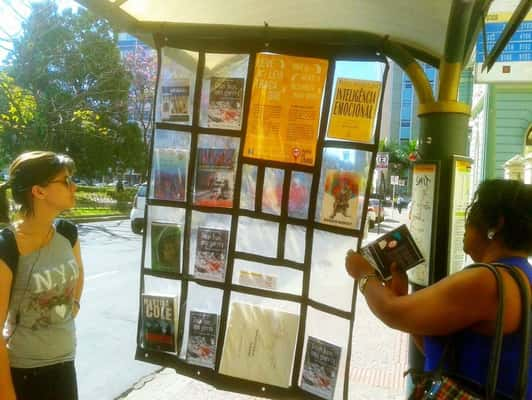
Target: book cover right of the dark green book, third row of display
(211,254)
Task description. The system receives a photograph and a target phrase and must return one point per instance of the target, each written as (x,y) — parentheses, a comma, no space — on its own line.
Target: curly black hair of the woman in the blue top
(505,205)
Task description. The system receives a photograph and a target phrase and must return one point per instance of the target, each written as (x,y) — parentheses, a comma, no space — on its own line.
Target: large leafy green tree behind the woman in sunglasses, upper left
(71,65)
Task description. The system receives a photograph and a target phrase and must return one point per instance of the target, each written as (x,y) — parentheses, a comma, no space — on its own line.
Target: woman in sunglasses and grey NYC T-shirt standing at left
(41,280)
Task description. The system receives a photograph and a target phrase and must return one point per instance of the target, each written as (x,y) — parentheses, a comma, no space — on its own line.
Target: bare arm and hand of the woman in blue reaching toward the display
(451,304)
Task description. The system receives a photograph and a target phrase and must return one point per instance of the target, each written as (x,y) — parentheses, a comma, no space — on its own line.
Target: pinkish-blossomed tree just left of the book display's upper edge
(142,65)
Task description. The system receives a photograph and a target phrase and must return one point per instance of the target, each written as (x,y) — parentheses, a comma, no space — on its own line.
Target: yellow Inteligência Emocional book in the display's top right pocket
(353,110)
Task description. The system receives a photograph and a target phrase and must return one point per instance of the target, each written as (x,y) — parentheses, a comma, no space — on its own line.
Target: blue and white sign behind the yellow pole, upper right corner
(515,62)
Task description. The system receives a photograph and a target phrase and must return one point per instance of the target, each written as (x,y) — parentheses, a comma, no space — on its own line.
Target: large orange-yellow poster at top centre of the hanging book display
(284,113)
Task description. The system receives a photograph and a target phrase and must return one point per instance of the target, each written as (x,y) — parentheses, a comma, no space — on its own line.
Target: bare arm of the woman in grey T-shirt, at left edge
(7,391)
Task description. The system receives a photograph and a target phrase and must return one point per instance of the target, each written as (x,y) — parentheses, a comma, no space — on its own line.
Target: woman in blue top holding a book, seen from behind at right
(498,229)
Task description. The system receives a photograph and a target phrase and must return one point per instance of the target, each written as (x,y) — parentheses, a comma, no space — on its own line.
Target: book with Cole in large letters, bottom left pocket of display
(159,322)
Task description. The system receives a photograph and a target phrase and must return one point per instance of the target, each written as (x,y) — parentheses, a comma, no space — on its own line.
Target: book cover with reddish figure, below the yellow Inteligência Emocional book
(340,198)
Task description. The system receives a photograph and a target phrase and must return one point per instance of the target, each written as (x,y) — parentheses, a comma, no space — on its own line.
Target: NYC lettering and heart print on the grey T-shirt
(51,295)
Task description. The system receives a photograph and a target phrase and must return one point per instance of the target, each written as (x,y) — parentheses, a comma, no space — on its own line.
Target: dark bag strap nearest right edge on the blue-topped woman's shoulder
(524,330)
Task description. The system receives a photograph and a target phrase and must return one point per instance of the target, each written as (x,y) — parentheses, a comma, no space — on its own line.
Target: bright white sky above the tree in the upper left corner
(12,13)
